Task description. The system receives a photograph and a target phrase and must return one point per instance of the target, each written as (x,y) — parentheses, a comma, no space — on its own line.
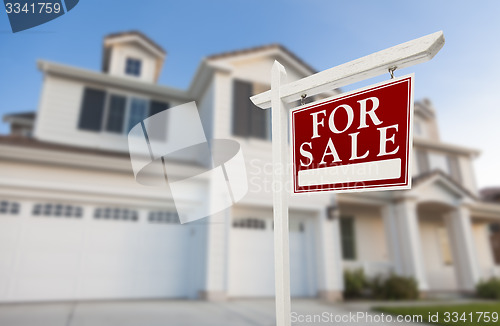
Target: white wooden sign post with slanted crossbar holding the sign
(400,56)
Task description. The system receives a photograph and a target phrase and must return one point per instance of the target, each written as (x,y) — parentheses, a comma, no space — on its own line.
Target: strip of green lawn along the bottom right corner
(487,314)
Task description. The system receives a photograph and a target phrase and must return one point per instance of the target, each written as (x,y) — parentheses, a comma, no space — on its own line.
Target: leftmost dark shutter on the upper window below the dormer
(92,109)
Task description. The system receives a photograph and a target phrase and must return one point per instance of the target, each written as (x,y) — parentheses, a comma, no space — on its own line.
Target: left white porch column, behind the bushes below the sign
(410,246)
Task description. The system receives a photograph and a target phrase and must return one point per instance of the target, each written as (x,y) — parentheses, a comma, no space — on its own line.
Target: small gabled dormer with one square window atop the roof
(132,55)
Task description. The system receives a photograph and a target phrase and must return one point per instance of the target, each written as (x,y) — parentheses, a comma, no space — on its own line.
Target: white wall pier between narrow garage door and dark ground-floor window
(330,269)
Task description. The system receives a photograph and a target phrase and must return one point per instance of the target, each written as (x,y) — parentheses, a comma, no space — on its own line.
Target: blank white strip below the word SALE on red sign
(368,171)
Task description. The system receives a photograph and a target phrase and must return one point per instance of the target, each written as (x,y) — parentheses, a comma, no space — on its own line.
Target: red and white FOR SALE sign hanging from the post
(357,141)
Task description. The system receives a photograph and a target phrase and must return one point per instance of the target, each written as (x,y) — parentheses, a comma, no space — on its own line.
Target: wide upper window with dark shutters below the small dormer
(116,113)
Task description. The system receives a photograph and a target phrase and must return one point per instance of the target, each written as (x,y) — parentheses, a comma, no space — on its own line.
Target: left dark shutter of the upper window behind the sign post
(241,108)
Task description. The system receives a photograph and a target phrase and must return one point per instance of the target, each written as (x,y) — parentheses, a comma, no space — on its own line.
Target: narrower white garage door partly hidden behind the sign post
(251,257)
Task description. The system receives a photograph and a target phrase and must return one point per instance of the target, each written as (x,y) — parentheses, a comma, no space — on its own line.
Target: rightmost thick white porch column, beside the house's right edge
(459,227)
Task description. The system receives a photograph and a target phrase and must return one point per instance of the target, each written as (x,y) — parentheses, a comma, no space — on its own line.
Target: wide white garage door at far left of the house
(51,251)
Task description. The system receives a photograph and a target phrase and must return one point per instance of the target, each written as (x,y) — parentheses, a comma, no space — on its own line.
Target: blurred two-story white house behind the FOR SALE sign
(75,225)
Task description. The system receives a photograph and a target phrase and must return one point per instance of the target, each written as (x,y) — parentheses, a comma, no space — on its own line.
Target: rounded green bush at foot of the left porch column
(394,287)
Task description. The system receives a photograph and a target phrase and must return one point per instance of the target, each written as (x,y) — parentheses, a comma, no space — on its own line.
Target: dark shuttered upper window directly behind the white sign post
(248,120)
